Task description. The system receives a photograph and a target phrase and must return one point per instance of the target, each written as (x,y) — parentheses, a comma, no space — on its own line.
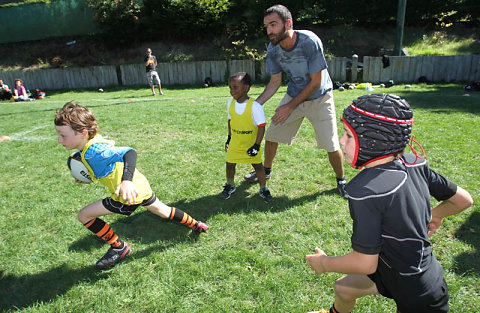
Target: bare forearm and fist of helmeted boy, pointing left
(350,263)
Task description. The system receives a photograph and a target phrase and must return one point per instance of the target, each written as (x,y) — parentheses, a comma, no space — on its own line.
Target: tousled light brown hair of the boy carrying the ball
(78,117)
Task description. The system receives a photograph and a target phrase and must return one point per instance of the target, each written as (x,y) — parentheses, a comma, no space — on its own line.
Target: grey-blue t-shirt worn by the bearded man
(305,58)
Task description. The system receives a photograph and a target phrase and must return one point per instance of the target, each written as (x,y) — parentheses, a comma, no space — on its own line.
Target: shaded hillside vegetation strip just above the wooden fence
(337,40)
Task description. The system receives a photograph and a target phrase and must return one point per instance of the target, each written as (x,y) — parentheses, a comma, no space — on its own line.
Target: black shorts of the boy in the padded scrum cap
(425,292)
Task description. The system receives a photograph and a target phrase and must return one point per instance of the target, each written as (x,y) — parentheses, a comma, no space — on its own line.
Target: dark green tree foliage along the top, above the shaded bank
(242,19)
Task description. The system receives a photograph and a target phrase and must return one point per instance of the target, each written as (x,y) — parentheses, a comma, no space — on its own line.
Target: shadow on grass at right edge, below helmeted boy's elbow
(469,262)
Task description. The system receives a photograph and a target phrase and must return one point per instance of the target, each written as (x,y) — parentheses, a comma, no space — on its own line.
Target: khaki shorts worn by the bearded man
(320,112)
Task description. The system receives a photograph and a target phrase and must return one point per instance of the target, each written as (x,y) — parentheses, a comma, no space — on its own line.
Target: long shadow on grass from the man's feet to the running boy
(149,228)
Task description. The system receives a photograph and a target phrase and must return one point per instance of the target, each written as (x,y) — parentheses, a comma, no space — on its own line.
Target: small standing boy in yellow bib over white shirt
(246,127)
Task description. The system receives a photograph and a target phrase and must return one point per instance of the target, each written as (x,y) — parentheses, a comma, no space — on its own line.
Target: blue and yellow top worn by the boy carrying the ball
(104,162)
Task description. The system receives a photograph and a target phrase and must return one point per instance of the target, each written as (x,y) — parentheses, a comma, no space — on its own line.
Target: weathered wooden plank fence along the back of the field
(401,69)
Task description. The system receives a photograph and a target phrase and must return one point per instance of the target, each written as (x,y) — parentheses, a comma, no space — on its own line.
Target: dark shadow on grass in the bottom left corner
(23,291)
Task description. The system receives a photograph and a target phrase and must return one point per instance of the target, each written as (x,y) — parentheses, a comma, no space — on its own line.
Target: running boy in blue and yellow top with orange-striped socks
(113,167)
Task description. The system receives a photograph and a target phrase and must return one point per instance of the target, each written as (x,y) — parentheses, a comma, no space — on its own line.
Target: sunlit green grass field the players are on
(253,257)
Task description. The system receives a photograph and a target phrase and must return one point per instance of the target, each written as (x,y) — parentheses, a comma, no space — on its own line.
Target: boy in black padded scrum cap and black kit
(389,203)
